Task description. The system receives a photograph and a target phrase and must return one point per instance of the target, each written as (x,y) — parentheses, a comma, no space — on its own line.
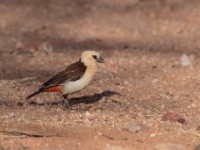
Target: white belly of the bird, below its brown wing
(75,86)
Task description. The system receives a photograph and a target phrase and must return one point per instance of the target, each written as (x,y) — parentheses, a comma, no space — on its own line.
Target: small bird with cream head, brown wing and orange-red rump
(74,78)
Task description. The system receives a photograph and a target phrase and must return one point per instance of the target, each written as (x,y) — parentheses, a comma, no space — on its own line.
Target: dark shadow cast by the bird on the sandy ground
(84,99)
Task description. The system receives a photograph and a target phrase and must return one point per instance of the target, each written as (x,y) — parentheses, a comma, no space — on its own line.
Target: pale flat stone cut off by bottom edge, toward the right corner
(168,146)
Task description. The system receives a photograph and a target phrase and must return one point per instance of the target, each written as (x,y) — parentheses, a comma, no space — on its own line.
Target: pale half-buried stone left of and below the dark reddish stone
(134,126)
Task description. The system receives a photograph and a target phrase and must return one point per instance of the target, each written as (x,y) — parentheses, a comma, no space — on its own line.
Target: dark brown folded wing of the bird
(72,73)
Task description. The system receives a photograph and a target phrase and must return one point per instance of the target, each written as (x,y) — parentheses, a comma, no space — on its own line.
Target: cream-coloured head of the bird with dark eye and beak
(91,58)
